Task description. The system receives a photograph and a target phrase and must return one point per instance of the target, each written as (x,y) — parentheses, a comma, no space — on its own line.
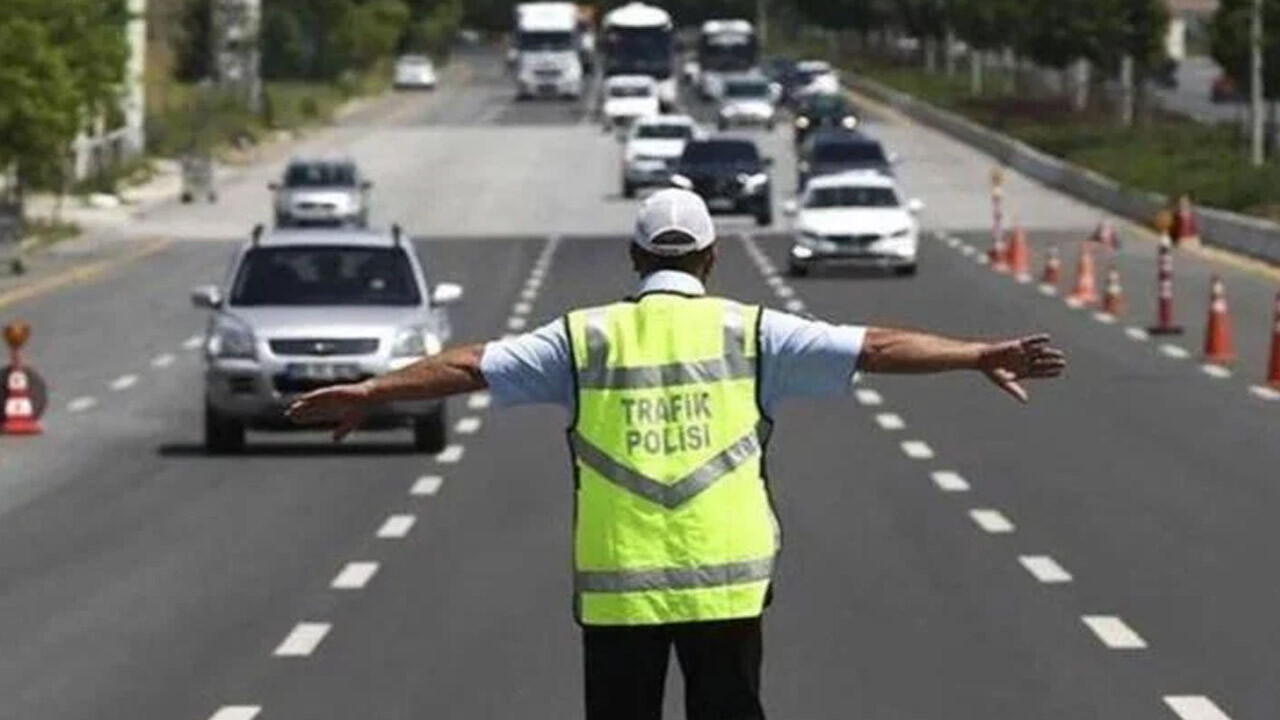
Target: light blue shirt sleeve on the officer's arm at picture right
(802,358)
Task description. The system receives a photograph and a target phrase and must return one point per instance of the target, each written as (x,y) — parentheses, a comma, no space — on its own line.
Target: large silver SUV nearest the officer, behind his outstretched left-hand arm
(304,309)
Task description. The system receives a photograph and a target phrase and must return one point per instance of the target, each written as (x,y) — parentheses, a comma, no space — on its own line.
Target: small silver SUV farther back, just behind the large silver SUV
(322,193)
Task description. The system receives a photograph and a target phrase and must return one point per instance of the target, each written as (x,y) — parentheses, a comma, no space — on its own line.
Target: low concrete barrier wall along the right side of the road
(1250,236)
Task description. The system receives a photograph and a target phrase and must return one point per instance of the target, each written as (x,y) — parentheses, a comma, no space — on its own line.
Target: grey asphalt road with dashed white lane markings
(1103,553)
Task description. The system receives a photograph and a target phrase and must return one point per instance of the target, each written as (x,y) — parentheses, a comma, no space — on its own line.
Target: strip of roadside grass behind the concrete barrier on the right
(1164,153)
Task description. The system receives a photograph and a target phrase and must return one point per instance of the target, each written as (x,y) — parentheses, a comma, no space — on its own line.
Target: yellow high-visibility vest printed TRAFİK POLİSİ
(674,521)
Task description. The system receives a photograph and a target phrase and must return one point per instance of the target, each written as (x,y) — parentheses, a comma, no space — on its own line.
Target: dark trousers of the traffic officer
(627,671)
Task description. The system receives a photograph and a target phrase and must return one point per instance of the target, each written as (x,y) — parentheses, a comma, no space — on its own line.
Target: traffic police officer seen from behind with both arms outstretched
(671,394)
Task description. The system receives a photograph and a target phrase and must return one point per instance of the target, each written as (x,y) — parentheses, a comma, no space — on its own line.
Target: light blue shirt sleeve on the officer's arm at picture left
(534,368)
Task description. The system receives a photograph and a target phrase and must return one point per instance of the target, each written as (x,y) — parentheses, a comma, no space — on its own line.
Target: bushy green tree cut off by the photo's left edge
(40,108)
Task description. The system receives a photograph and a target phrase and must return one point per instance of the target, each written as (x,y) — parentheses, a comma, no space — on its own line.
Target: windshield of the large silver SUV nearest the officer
(314,276)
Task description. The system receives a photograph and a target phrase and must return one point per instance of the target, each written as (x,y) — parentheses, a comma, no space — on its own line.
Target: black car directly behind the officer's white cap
(730,175)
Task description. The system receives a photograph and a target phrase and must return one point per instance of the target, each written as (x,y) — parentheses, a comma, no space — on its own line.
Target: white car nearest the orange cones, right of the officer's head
(854,218)
